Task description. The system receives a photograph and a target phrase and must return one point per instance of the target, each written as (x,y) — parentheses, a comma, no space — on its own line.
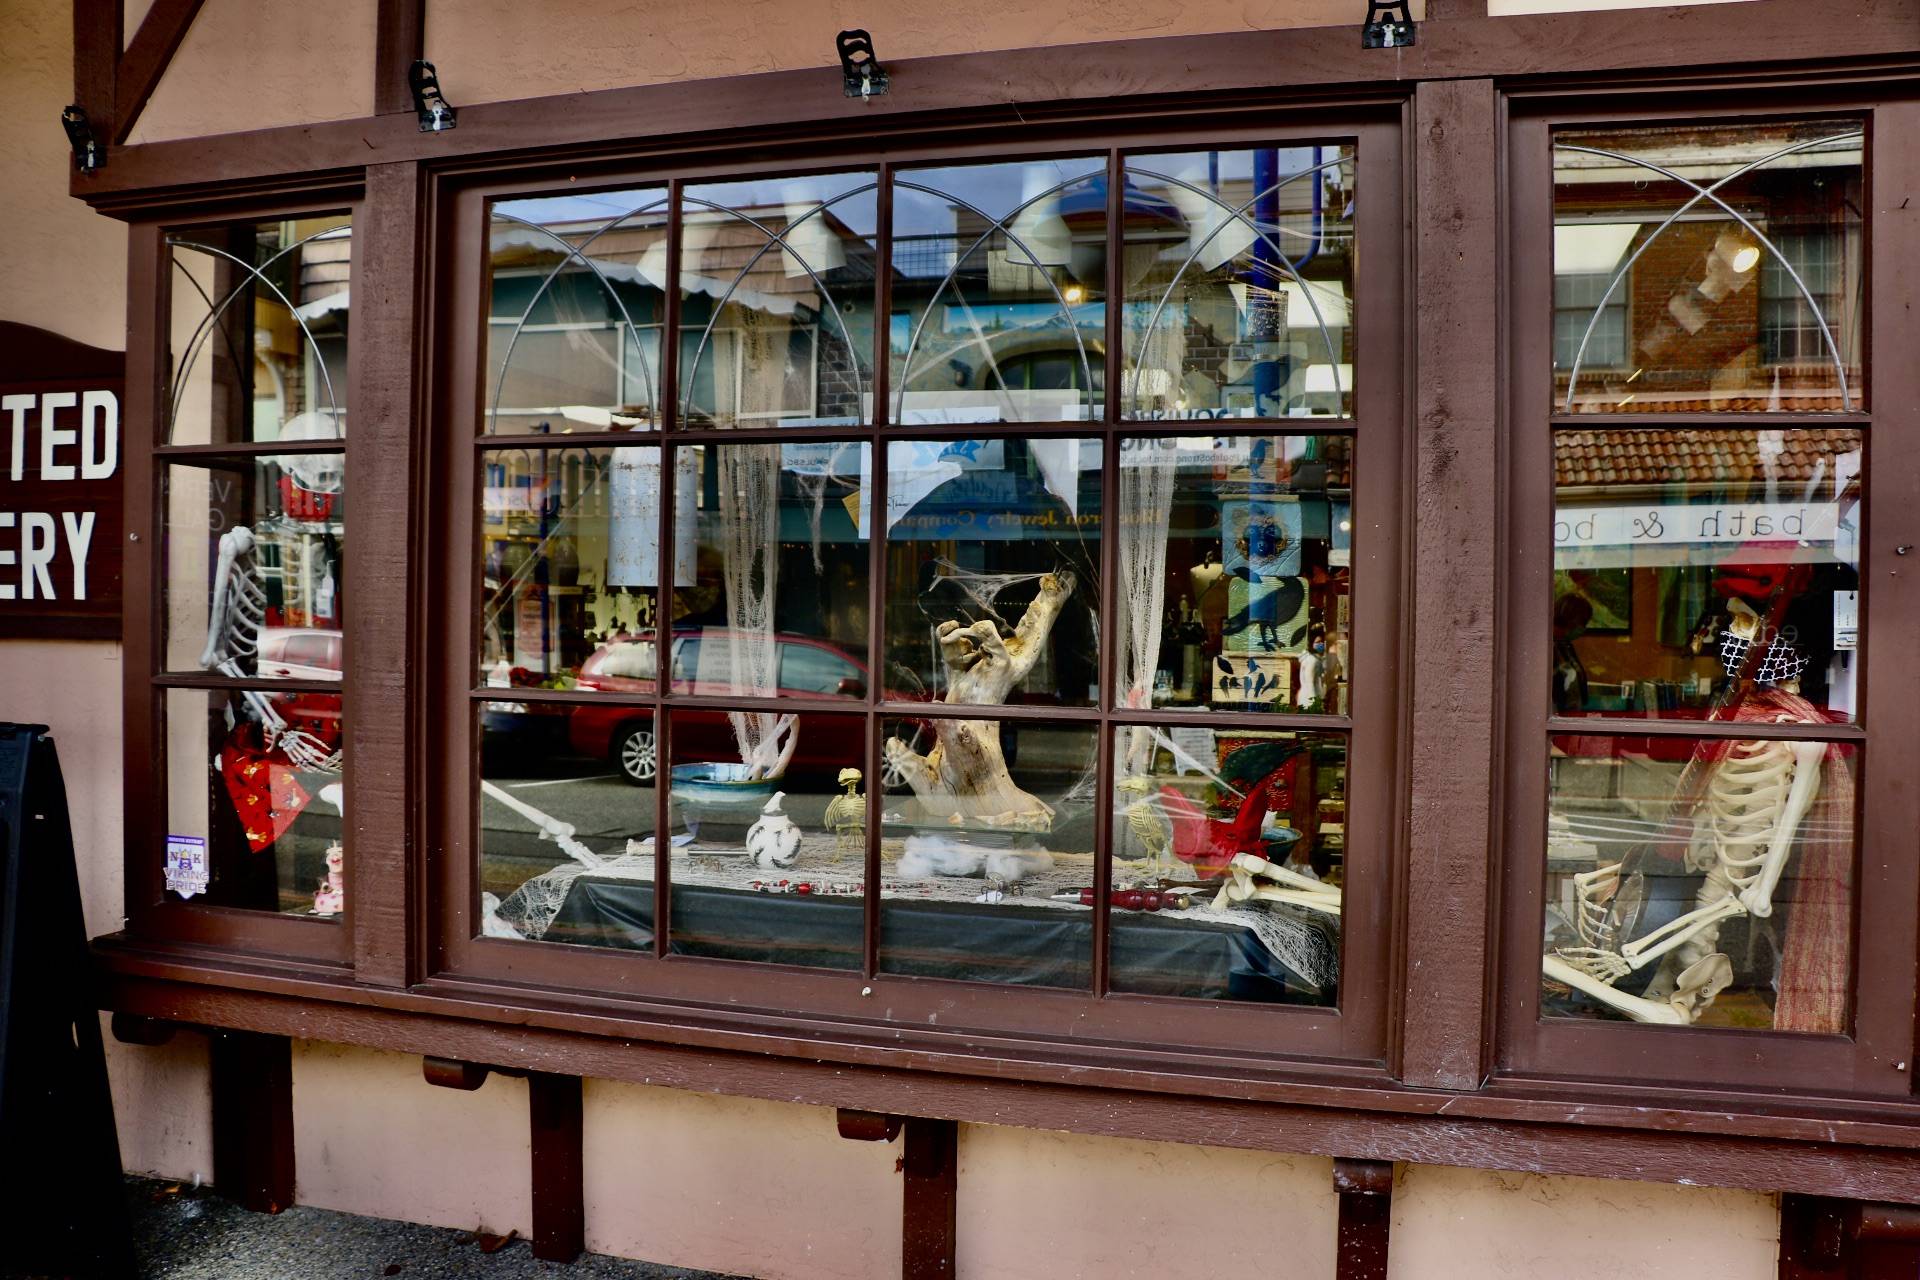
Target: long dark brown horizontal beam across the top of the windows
(1042,83)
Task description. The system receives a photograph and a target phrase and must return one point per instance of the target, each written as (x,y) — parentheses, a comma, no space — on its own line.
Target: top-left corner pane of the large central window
(575,312)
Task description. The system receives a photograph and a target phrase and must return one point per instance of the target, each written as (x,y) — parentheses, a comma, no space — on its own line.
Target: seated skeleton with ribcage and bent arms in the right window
(1742,840)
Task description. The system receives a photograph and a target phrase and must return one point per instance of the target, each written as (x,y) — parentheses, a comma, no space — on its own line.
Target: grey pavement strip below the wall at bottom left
(193,1235)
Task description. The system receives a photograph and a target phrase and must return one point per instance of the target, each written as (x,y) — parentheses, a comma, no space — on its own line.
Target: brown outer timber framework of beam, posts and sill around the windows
(1445,1091)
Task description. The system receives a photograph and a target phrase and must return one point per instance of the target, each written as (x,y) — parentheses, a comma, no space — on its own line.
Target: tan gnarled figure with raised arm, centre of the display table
(965,776)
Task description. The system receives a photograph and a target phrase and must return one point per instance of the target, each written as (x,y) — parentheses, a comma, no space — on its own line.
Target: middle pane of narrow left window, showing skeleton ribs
(254,561)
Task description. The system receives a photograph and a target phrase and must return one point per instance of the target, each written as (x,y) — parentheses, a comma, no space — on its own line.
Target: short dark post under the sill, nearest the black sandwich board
(252,1120)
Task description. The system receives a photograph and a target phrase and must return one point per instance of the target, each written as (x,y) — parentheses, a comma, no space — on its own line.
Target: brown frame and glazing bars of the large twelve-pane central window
(936,1012)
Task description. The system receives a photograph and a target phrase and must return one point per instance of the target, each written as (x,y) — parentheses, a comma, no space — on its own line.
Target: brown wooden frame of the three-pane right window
(1873,1058)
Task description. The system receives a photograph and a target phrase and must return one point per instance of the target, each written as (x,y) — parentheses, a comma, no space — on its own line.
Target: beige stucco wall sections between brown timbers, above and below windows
(754,1187)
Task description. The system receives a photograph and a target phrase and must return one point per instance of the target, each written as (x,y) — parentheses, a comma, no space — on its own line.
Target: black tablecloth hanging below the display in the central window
(999,943)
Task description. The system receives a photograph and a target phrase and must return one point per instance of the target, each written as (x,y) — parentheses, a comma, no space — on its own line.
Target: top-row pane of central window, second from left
(777,302)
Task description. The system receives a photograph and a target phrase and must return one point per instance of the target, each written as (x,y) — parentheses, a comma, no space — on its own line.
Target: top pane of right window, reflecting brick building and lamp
(1710,268)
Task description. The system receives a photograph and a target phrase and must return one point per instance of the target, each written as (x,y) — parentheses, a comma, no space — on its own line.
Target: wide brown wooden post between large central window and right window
(1451,772)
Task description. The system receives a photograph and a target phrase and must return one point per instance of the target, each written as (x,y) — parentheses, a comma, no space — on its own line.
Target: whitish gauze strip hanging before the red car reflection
(750,561)
